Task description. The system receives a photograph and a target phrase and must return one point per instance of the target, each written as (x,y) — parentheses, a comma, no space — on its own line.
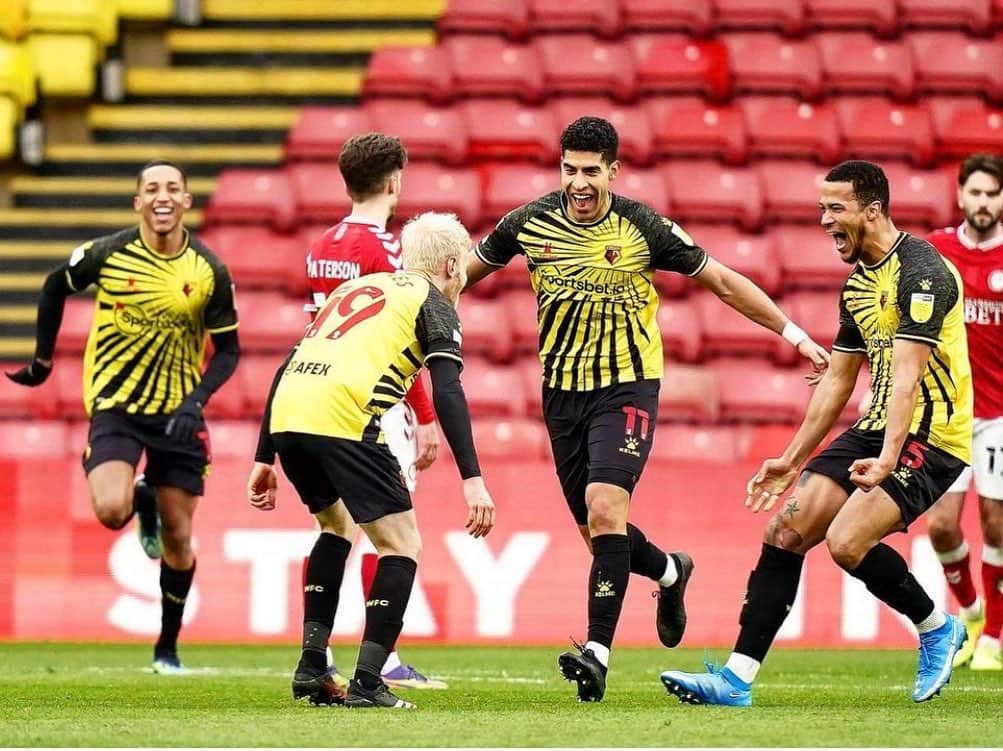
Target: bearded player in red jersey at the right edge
(976,249)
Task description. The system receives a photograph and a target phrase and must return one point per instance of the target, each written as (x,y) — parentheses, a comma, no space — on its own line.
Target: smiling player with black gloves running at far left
(160,292)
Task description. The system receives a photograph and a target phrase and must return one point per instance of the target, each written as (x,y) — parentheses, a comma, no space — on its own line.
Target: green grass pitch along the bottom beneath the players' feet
(104,695)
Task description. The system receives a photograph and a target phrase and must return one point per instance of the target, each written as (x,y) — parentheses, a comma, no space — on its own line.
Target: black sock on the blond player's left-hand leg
(321,588)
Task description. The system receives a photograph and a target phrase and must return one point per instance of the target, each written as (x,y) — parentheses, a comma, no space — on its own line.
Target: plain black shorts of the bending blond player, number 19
(365,475)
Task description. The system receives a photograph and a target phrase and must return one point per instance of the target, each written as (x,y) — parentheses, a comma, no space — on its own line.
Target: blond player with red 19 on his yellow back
(358,360)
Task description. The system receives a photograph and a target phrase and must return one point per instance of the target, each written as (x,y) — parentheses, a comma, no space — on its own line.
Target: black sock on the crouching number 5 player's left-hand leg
(770,595)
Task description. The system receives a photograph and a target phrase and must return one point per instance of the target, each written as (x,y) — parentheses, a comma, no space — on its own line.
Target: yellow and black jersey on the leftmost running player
(152,317)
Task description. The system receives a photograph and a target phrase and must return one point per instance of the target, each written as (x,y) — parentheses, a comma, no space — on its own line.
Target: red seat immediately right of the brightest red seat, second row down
(768,64)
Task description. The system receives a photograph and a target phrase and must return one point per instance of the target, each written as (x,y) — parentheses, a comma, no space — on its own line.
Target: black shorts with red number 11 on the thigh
(603,436)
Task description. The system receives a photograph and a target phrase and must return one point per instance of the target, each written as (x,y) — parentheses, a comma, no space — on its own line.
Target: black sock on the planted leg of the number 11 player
(607,586)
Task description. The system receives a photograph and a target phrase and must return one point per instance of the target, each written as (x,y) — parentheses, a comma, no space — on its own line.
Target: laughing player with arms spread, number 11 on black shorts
(592,255)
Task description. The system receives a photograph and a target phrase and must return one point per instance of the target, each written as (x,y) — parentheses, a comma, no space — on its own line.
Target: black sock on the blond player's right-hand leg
(389,596)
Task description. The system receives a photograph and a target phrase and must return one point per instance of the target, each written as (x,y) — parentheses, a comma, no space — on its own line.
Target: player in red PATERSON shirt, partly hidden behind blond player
(372,166)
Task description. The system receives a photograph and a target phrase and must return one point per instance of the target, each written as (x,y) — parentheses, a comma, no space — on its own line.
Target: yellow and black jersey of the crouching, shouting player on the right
(913,293)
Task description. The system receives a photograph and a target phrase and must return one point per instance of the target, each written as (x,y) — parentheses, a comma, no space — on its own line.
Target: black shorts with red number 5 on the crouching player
(922,476)
